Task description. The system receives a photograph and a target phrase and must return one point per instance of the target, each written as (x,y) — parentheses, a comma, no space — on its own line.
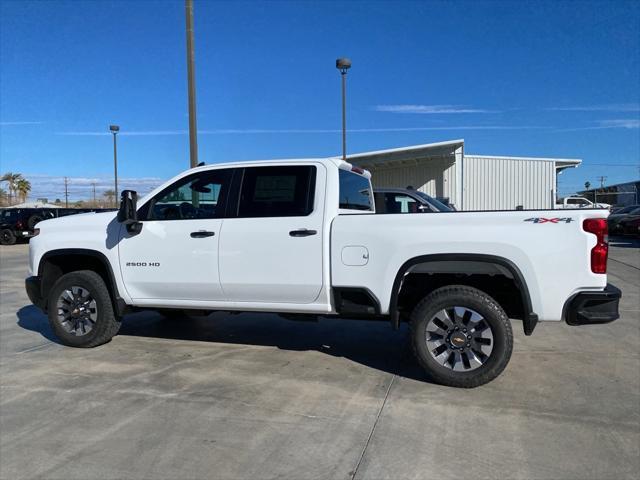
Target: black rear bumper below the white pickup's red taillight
(589,308)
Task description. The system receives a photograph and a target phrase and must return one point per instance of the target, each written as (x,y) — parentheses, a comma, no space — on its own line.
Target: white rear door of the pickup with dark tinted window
(271,246)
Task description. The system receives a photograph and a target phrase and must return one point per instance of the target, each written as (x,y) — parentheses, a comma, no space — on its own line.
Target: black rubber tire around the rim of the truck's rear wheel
(472,298)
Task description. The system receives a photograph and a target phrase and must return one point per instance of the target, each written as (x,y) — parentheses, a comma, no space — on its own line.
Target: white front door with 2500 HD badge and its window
(175,255)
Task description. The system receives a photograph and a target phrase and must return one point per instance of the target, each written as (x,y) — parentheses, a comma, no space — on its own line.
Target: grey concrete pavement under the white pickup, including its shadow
(255,396)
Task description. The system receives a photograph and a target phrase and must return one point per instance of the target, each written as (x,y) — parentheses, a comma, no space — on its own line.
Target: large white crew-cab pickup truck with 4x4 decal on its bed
(299,237)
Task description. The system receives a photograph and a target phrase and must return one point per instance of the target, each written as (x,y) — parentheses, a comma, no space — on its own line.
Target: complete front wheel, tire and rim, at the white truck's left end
(80,310)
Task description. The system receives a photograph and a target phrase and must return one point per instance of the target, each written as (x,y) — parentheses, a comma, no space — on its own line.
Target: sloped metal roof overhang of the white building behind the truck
(398,156)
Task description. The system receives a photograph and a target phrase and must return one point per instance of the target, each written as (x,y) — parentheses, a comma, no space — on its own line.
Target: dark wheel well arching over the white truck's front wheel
(53,266)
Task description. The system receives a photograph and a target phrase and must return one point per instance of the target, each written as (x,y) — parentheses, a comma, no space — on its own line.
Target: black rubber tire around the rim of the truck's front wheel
(107,324)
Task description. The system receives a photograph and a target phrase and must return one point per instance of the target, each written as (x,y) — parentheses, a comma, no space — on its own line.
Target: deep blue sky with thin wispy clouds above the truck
(553,79)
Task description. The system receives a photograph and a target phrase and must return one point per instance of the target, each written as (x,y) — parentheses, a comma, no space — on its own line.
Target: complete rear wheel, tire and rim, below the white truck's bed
(461,336)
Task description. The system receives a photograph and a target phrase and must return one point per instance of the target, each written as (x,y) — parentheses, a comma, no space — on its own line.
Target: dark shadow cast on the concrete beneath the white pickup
(370,343)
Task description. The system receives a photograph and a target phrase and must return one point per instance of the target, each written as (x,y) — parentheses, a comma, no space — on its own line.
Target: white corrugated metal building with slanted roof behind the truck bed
(471,182)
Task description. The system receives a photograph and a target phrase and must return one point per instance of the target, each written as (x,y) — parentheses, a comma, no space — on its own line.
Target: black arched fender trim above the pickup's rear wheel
(530,318)
